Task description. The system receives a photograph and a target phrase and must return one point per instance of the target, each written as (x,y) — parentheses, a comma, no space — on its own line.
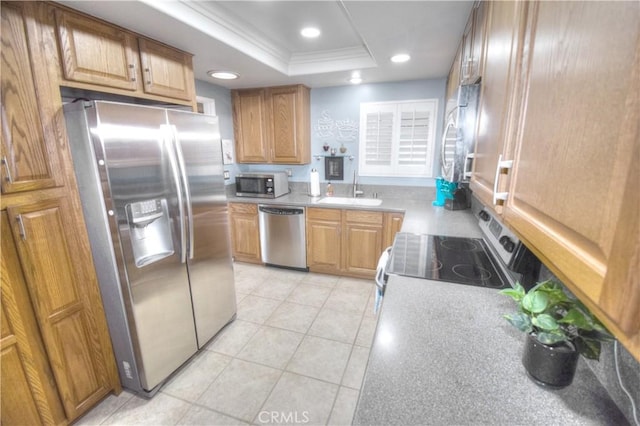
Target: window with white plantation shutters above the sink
(397,138)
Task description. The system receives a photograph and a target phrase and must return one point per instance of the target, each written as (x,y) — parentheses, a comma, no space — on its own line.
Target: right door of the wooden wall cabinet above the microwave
(289,111)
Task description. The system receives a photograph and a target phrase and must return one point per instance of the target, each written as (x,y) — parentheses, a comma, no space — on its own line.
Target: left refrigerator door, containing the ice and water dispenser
(156,292)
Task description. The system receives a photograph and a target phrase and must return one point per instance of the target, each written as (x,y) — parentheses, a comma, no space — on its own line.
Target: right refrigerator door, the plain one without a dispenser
(209,260)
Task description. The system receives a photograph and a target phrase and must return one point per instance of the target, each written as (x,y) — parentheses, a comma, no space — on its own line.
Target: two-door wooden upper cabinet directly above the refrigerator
(97,55)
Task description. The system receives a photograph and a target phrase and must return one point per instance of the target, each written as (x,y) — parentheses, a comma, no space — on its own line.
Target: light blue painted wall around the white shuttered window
(341,103)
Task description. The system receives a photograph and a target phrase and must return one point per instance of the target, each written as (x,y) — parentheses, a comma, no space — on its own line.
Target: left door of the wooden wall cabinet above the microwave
(250,125)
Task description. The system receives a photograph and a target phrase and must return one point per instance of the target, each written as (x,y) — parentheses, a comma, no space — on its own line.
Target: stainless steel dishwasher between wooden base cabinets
(282,236)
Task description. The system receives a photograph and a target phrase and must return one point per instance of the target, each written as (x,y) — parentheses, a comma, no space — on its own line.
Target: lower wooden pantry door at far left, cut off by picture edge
(28,391)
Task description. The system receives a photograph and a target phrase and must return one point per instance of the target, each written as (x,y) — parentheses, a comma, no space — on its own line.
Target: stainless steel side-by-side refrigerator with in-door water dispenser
(152,190)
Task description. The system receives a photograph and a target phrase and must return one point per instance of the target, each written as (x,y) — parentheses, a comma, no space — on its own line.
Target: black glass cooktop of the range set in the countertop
(452,259)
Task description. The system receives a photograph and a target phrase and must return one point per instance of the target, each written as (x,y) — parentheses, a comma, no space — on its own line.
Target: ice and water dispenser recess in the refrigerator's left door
(150,231)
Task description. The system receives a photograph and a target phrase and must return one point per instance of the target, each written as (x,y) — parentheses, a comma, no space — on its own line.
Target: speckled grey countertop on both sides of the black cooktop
(443,354)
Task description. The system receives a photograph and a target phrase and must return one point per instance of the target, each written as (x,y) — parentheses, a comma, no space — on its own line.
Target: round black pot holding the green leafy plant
(550,366)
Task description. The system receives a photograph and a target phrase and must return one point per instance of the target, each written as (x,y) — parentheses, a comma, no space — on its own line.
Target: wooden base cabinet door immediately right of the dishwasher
(324,243)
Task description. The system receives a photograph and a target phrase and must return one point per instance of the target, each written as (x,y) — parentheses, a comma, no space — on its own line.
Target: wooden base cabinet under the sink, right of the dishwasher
(348,242)
